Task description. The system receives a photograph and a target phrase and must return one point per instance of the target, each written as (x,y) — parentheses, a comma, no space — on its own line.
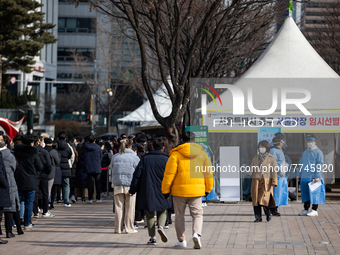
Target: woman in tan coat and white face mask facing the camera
(264,178)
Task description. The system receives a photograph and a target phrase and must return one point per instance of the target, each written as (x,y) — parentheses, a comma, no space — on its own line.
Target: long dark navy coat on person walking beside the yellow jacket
(147,182)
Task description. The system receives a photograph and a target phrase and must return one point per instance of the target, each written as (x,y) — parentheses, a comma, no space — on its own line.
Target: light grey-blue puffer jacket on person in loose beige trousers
(123,166)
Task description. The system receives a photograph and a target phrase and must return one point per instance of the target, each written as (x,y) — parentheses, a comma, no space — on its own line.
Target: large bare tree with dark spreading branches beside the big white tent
(192,38)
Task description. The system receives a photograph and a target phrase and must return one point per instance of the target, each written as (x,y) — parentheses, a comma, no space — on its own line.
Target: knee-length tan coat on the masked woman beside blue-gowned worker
(263,181)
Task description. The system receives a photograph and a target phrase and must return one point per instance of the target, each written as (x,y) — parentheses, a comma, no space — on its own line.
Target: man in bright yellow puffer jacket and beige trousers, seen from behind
(188,177)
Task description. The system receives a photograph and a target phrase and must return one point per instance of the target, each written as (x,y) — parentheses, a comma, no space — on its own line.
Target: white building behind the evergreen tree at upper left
(44,70)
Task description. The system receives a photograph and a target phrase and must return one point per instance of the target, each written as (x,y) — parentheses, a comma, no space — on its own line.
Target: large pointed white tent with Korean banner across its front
(289,62)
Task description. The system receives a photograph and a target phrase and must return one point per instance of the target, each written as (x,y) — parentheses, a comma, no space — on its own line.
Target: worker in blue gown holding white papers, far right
(311,166)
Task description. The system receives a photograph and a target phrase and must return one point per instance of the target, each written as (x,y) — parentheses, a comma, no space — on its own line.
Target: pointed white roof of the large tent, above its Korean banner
(289,62)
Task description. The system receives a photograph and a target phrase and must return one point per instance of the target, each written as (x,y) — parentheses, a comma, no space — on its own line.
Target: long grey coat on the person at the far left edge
(10,165)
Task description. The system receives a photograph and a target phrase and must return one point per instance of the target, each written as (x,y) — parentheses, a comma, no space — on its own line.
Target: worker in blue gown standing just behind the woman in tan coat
(281,190)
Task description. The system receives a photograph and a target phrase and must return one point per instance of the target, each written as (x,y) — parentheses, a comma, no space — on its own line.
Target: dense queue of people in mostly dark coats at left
(36,172)
